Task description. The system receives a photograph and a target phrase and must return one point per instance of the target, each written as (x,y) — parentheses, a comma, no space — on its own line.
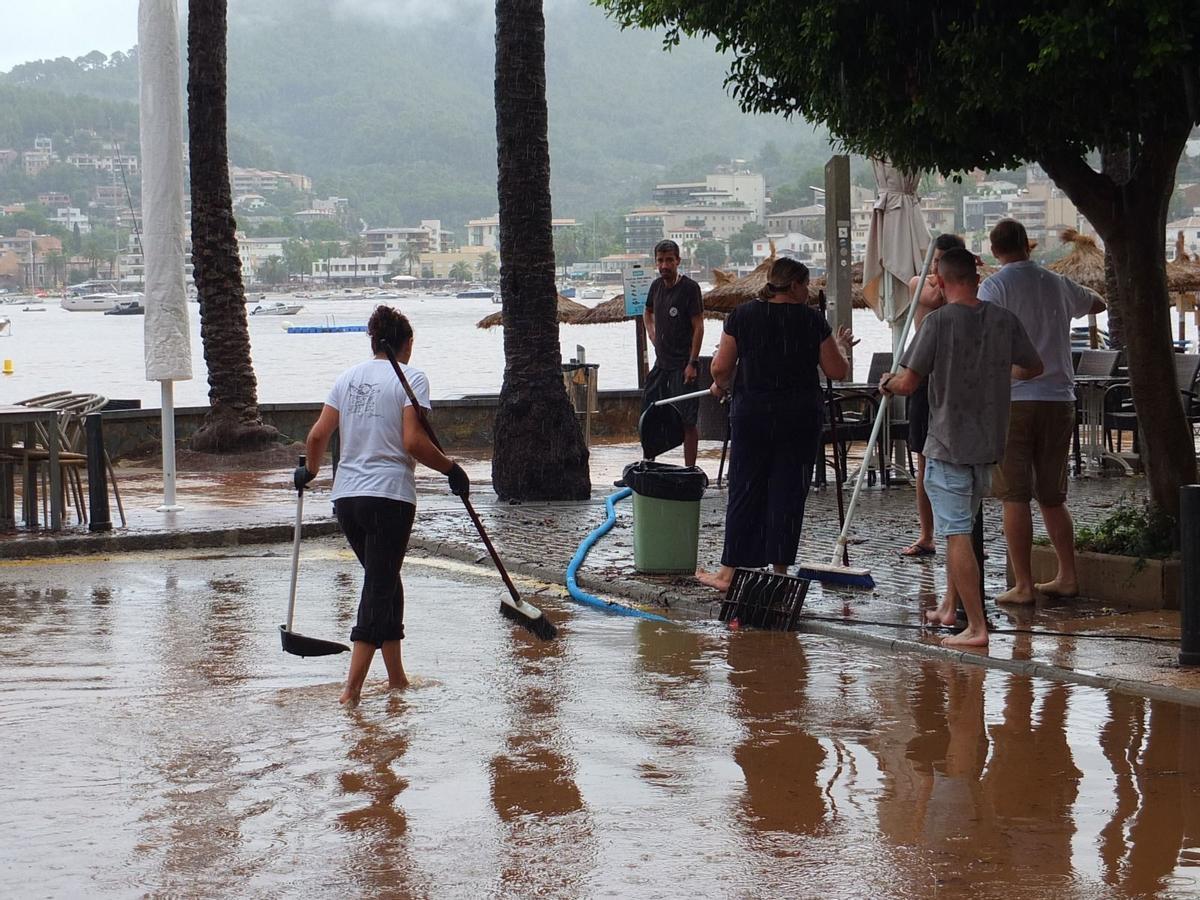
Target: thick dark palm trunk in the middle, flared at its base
(539,452)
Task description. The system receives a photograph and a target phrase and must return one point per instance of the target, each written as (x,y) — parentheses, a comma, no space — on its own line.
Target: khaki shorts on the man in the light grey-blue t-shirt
(1036,454)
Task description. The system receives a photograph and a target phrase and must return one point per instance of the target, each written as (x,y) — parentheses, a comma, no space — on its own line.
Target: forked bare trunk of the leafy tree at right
(1131,219)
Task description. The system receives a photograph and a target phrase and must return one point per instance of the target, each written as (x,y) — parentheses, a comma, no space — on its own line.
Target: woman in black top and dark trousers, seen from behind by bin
(770,356)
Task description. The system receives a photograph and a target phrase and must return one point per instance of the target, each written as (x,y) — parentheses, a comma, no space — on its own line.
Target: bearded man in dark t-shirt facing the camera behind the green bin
(675,323)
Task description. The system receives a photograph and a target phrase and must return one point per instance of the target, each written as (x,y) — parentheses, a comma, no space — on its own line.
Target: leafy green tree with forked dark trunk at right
(904,82)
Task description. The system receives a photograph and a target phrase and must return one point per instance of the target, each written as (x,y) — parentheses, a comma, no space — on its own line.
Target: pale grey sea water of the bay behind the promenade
(52,350)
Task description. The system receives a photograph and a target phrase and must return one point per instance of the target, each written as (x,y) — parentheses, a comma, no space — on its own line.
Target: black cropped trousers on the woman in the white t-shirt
(379,530)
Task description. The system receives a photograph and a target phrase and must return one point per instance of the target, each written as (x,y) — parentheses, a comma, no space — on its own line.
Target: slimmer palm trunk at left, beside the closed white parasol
(233,422)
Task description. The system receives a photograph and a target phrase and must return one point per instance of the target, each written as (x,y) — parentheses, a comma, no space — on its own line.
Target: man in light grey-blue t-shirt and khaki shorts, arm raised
(1042,419)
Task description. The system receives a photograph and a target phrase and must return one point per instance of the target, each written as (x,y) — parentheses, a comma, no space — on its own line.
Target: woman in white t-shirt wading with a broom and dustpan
(375,490)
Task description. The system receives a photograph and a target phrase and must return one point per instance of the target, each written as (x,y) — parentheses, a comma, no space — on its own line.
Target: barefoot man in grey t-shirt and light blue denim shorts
(967,351)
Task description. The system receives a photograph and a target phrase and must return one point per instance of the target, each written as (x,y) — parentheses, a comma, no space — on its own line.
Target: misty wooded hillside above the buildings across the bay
(395,111)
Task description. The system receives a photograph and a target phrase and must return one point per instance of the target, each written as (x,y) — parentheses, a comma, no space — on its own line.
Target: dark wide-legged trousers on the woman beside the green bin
(771,470)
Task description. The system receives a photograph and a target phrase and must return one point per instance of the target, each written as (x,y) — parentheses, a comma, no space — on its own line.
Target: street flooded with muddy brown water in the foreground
(158,742)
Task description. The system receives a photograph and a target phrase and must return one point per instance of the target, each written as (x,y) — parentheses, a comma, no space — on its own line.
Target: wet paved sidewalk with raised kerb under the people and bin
(254,507)
